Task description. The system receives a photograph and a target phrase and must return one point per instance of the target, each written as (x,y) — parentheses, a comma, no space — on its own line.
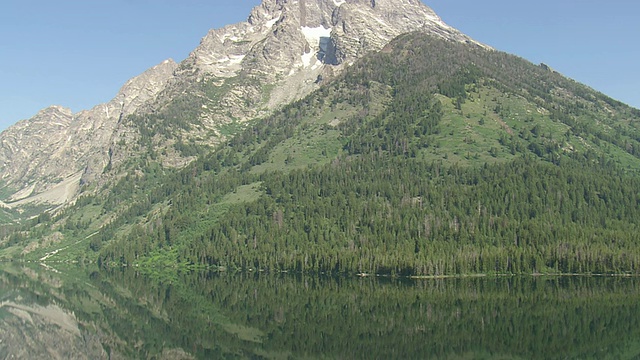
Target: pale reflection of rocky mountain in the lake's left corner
(47,315)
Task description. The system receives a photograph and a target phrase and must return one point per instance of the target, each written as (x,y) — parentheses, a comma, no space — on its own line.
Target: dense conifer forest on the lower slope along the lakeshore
(359,216)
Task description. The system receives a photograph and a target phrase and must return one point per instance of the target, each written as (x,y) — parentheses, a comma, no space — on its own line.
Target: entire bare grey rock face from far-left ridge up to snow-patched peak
(285,50)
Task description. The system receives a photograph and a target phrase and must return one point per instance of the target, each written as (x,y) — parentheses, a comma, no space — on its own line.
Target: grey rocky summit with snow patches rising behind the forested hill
(290,46)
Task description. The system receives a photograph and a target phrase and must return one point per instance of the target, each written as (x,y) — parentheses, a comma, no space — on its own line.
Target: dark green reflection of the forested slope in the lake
(385,318)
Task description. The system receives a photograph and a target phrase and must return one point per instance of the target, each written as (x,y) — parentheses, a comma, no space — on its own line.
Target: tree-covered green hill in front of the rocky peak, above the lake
(385,205)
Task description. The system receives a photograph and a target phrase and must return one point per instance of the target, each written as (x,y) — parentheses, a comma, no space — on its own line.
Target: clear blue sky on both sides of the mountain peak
(79,53)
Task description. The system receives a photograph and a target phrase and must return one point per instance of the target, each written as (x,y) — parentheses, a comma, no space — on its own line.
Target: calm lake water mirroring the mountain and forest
(71,312)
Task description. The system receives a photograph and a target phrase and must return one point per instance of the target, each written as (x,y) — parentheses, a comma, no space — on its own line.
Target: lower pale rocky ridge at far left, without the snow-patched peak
(44,159)
